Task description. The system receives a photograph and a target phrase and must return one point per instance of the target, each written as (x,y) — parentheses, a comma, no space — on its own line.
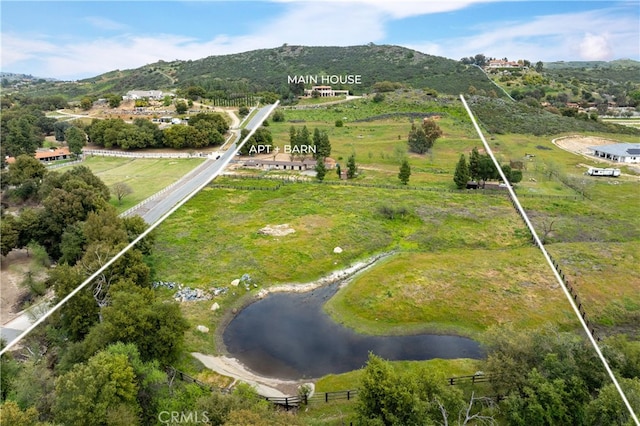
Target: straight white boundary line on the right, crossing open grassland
(550,262)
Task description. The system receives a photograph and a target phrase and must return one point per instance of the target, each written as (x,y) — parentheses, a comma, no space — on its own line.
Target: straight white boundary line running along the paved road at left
(130,246)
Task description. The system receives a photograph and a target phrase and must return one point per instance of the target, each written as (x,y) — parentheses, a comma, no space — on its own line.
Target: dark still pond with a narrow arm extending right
(289,336)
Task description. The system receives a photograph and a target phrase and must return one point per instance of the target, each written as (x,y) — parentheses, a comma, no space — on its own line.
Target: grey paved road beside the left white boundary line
(159,205)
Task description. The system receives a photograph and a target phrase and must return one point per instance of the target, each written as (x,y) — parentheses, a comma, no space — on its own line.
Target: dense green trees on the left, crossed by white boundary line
(98,360)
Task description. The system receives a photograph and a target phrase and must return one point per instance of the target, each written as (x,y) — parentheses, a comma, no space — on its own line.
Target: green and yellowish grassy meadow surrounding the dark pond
(463,260)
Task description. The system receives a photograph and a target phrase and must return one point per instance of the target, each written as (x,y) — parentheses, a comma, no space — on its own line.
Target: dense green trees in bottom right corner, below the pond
(544,377)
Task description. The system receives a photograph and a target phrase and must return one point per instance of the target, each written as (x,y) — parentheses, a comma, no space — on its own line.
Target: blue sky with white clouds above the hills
(78,39)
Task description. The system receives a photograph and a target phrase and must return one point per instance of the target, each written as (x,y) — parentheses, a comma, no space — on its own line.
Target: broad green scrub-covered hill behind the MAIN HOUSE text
(268,70)
